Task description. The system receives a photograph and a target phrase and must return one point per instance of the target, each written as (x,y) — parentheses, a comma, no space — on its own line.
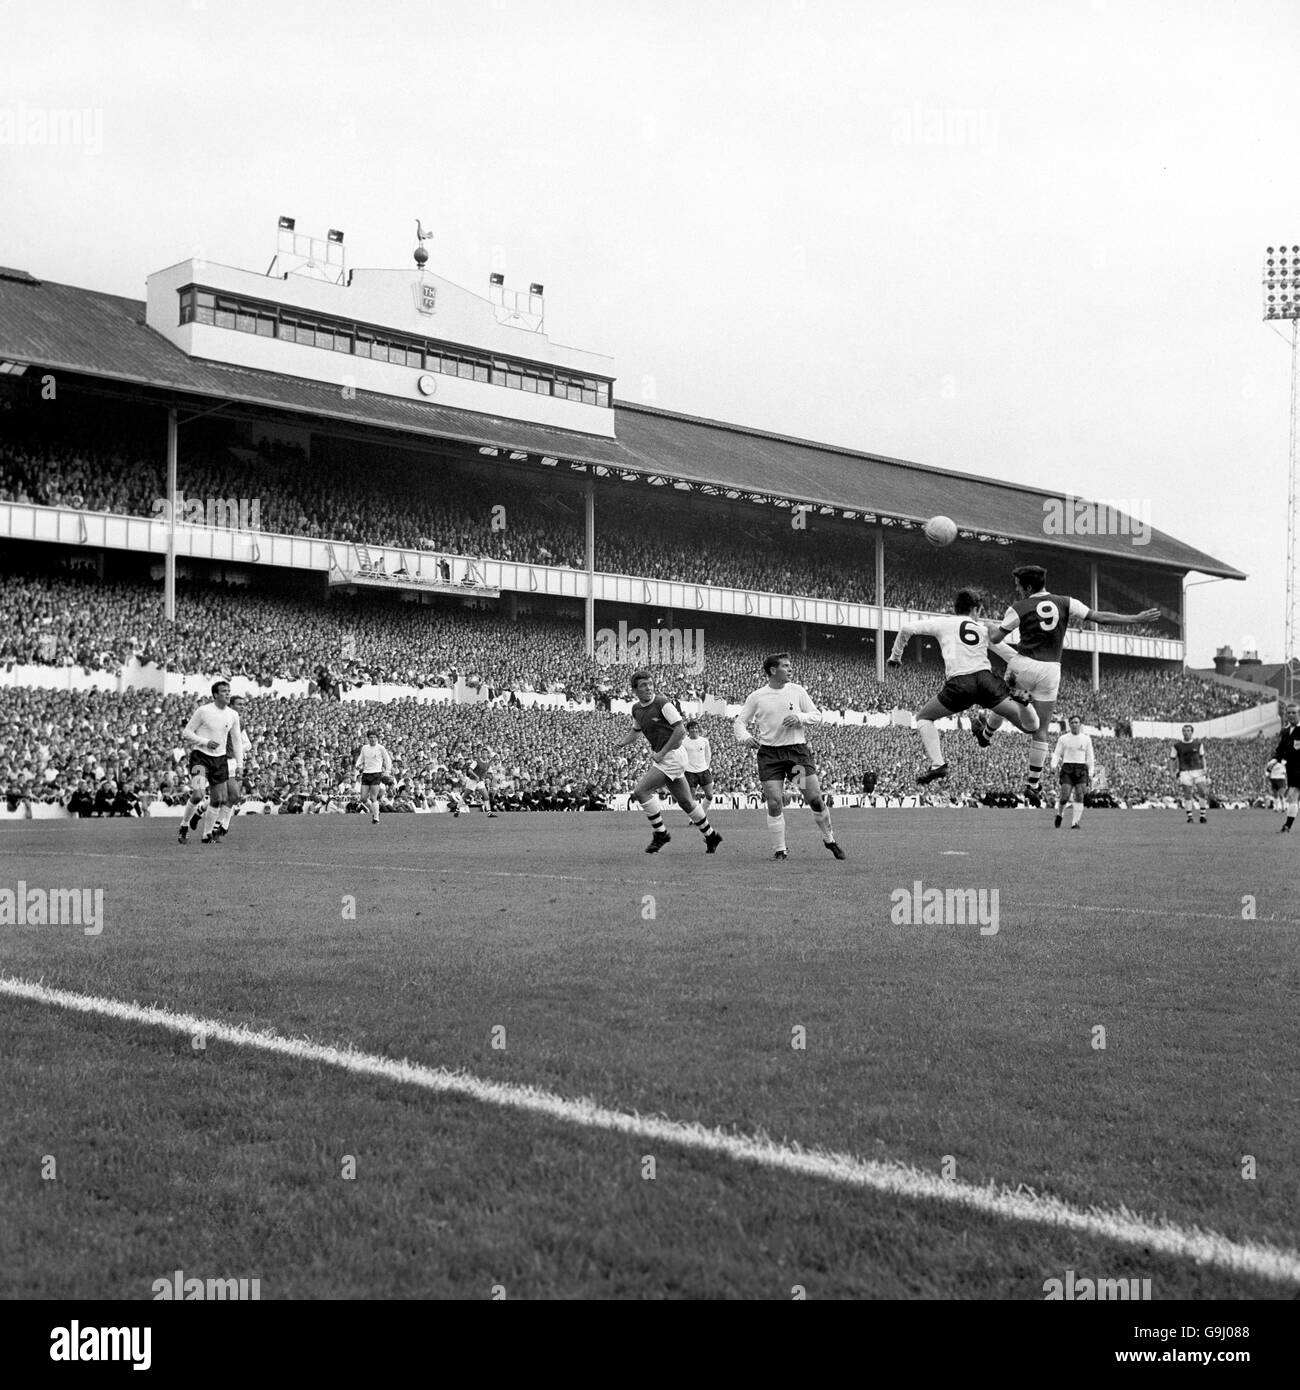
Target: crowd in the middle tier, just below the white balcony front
(369,640)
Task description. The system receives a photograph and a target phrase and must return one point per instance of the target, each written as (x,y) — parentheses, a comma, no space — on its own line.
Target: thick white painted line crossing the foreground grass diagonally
(1206,1248)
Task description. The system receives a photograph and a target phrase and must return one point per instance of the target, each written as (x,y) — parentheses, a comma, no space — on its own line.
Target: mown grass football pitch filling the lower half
(668,988)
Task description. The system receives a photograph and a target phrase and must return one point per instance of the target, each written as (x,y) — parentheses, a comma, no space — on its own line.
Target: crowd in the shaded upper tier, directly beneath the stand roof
(391,498)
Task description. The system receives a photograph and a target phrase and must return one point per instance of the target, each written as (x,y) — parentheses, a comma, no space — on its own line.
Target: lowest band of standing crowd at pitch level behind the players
(108,754)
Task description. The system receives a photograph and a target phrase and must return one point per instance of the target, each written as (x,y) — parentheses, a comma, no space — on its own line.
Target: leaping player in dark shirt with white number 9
(1041,621)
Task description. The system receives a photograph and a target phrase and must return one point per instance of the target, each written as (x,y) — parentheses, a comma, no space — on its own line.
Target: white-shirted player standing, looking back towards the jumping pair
(781,710)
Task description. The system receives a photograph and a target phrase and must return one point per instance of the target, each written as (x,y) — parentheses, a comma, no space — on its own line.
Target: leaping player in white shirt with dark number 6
(970,680)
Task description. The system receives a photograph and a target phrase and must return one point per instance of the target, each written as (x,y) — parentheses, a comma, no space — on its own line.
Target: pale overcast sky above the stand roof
(1018,240)
